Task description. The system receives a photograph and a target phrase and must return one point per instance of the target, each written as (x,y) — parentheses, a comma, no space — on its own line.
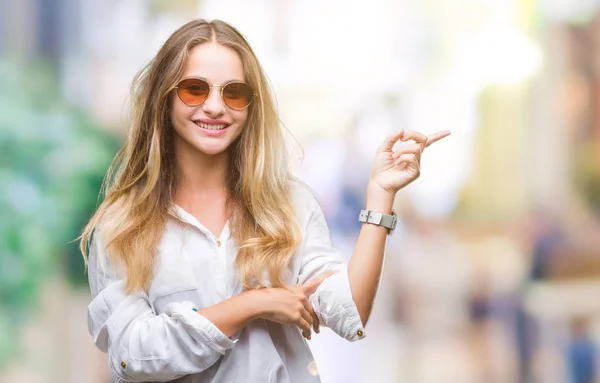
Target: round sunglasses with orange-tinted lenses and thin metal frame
(195,91)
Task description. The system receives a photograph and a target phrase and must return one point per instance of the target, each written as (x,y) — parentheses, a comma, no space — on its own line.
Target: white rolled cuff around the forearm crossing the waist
(200,325)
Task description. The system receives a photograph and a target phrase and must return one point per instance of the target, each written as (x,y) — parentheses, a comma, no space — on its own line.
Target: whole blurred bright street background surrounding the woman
(494,272)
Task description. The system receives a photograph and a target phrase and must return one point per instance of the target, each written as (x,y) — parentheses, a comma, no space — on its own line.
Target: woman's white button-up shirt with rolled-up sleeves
(155,335)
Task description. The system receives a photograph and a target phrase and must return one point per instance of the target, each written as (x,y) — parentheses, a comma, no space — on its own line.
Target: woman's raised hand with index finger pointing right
(392,170)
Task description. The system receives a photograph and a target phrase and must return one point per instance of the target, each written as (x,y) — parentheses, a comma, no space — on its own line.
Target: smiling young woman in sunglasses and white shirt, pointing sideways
(208,261)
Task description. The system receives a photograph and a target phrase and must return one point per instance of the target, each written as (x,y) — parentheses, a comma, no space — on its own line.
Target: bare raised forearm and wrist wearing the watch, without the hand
(364,268)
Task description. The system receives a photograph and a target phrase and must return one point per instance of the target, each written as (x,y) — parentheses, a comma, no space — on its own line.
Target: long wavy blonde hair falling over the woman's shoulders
(140,182)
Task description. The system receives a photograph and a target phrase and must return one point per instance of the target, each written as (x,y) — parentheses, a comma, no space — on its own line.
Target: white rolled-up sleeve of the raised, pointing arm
(332,301)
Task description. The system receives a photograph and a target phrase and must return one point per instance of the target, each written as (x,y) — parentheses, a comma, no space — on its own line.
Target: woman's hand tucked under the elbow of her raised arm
(290,305)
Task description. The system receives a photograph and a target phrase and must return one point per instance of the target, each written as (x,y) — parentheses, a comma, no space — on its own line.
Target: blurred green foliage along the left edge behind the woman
(52,162)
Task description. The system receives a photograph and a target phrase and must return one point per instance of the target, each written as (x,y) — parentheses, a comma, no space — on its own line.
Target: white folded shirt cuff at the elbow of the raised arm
(335,307)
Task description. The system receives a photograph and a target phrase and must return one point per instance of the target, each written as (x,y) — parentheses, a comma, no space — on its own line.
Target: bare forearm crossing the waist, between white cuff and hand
(234,313)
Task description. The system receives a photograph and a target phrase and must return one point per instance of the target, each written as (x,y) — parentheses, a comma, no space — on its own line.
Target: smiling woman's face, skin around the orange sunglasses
(210,127)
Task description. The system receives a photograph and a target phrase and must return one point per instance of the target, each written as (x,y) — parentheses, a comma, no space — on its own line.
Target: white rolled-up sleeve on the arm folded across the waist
(141,345)
